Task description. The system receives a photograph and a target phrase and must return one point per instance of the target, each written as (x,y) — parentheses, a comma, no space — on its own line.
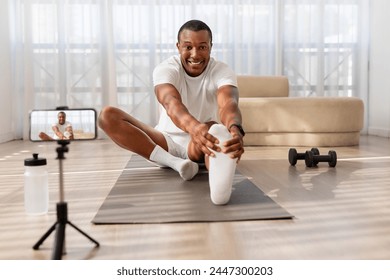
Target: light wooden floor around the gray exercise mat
(339,213)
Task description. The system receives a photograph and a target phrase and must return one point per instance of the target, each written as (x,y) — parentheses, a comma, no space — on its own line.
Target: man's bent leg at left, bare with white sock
(137,137)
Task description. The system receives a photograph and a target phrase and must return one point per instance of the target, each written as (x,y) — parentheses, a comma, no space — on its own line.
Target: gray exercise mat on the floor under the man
(147,194)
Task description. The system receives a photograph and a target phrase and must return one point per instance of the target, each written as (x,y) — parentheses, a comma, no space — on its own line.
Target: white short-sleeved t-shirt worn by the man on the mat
(199,94)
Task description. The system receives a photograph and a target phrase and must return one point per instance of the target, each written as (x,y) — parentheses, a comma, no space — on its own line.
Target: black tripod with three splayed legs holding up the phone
(62,213)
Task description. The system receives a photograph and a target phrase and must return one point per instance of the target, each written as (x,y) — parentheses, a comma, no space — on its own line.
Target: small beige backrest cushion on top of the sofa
(263,86)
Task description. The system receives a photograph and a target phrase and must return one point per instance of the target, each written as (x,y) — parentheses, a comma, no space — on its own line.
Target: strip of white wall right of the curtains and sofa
(379,89)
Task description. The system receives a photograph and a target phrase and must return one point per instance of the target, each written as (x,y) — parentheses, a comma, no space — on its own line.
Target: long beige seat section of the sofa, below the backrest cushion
(302,114)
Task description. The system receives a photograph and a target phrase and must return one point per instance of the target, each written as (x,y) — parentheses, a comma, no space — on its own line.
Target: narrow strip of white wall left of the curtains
(6,125)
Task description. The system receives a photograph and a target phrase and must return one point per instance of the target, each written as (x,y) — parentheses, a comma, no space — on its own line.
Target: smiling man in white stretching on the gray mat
(196,92)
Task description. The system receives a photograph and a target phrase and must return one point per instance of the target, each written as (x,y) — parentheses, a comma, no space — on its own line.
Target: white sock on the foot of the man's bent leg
(186,168)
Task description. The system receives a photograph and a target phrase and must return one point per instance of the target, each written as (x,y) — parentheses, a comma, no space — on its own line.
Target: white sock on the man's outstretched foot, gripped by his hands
(221,168)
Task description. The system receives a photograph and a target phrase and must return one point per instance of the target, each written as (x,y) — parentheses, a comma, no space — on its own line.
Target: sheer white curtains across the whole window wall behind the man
(91,53)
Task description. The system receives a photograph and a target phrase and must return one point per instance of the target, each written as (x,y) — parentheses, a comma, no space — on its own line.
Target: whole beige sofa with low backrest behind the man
(272,118)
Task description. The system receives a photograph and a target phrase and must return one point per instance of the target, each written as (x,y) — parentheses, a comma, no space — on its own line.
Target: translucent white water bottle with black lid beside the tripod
(36,190)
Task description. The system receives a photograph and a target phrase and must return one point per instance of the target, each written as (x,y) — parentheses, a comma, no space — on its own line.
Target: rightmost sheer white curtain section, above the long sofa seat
(325,47)
